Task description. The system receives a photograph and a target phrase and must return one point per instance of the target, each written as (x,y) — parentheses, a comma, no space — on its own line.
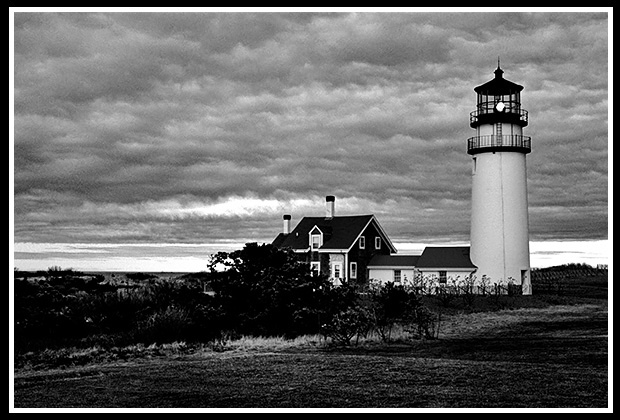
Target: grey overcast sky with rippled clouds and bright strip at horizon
(148,140)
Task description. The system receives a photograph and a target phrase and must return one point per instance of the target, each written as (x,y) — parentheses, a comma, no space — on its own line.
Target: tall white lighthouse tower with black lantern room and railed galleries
(499,218)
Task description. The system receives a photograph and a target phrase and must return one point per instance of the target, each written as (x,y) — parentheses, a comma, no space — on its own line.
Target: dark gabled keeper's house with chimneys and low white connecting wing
(357,248)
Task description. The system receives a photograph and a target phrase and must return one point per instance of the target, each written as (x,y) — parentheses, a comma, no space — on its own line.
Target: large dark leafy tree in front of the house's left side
(264,290)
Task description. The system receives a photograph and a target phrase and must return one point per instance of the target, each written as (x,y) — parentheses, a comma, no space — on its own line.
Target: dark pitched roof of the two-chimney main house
(339,232)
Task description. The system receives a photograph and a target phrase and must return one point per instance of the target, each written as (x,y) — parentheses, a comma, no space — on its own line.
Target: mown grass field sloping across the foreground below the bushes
(553,356)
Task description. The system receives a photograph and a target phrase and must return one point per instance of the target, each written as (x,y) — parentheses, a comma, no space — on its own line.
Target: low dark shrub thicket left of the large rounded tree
(75,311)
